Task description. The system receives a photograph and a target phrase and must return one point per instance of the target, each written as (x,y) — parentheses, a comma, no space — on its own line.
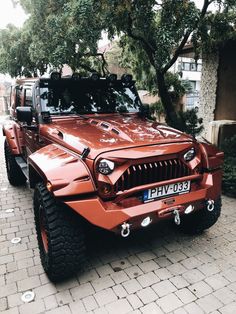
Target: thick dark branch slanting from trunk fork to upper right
(186,36)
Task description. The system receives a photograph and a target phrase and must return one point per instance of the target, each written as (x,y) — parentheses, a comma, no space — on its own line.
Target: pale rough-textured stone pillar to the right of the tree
(208,89)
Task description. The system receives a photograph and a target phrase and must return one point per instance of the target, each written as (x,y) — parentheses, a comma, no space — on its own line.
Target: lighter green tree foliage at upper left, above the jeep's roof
(56,33)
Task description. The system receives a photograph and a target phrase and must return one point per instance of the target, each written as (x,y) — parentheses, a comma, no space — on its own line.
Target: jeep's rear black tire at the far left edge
(14,172)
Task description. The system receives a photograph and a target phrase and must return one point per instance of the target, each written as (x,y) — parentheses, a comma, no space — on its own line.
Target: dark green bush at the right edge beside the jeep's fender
(229,176)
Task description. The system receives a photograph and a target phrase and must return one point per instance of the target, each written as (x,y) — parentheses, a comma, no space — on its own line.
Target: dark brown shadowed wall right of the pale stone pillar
(226,89)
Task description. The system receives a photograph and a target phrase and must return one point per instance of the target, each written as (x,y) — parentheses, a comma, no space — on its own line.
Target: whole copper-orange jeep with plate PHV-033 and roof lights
(91,154)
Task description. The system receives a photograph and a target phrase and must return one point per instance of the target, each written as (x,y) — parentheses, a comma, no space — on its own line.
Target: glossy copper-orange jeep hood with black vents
(109,132)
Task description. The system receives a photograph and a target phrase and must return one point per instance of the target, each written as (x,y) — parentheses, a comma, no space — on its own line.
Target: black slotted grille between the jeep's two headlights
(151,172)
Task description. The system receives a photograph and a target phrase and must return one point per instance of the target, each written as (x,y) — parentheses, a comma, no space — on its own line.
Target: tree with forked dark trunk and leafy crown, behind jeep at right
(155,33)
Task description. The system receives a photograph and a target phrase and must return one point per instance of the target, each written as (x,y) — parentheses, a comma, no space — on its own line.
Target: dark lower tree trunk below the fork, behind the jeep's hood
(172,118)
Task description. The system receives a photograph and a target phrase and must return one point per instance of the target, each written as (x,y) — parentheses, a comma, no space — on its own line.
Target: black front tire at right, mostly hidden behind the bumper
(200,220)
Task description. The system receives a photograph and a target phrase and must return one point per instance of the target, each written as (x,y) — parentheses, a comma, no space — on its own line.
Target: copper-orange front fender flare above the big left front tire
(64,173)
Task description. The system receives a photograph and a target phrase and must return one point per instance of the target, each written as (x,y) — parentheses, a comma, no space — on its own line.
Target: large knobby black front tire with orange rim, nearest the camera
(65,251)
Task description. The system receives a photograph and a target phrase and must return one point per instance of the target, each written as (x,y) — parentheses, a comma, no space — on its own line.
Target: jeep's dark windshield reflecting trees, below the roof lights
(85,96)
